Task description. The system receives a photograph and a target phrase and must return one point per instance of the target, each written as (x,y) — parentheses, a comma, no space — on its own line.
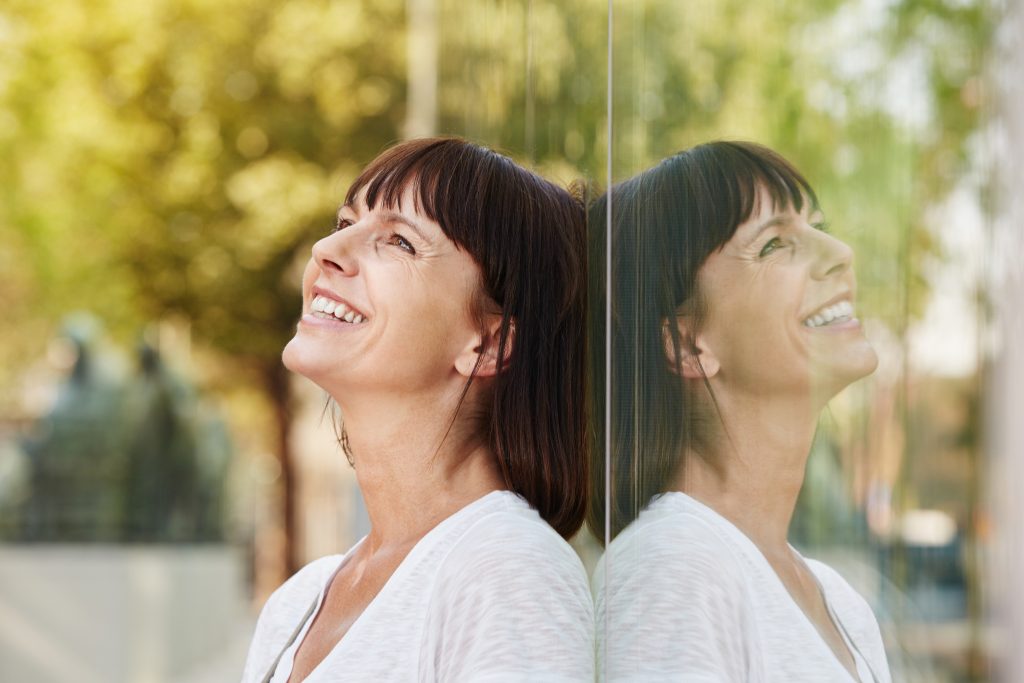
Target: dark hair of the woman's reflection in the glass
(665,224)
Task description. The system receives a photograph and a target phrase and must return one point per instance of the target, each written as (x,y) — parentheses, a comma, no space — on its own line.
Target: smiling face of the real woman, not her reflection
(387,305)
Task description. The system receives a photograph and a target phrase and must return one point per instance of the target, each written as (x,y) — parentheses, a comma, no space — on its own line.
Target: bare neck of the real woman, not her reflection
(412,471)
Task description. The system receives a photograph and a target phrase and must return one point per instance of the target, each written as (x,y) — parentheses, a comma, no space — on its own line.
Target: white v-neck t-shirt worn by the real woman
(492,593)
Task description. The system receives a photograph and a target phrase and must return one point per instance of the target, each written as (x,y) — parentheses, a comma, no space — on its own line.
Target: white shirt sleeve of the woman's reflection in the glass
(672,607)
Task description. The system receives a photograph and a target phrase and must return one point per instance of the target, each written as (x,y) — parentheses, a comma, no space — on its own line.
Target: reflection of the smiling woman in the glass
(734,324)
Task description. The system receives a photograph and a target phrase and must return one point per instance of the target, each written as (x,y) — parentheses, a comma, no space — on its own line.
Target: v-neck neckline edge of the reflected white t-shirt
(734,531)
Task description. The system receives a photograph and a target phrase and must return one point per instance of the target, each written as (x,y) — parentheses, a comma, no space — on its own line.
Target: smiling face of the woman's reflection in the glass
(781,303)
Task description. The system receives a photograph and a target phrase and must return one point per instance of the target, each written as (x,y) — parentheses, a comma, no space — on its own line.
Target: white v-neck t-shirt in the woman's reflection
(684,595)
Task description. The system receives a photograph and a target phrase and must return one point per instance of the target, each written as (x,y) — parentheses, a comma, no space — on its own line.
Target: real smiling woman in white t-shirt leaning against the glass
(445,316)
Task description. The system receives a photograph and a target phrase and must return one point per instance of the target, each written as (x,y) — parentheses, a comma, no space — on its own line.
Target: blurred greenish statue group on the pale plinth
(125,460)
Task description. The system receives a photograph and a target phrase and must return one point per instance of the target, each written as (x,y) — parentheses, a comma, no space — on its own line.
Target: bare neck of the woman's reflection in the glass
(753,472)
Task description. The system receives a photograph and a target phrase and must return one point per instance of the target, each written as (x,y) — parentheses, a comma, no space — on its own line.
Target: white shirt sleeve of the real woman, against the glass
(511,605)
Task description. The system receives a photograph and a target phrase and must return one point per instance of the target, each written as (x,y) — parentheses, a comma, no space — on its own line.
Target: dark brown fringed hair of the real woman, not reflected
(528,237)
